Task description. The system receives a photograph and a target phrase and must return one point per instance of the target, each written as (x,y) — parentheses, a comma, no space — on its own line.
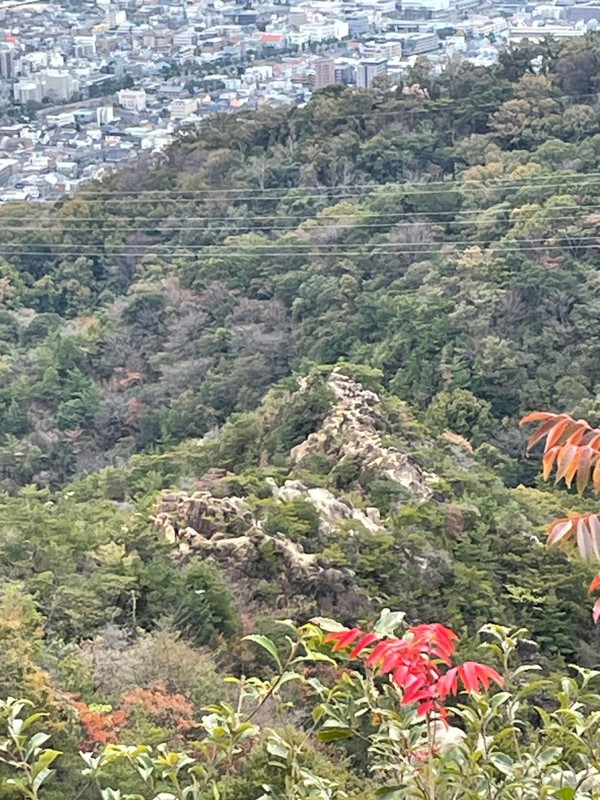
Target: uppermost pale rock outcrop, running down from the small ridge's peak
(351,429)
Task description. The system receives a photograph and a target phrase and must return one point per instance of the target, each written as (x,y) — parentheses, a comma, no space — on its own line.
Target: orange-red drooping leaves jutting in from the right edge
(572,449)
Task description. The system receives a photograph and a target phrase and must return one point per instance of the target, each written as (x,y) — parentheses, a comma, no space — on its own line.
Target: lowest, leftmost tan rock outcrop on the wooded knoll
(255,562)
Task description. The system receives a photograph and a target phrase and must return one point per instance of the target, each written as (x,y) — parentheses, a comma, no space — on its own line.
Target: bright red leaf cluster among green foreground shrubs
(420,663)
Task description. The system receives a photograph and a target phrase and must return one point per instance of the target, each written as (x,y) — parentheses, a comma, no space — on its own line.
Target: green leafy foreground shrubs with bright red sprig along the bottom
(499,752)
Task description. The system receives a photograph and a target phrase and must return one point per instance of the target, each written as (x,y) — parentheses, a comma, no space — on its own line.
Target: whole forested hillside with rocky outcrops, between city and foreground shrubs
(277,373)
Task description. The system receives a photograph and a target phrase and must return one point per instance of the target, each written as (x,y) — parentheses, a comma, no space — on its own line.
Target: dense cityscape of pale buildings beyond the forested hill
(84,87)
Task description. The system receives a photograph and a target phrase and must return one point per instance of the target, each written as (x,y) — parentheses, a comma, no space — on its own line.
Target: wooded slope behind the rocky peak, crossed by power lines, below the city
(447,238)
